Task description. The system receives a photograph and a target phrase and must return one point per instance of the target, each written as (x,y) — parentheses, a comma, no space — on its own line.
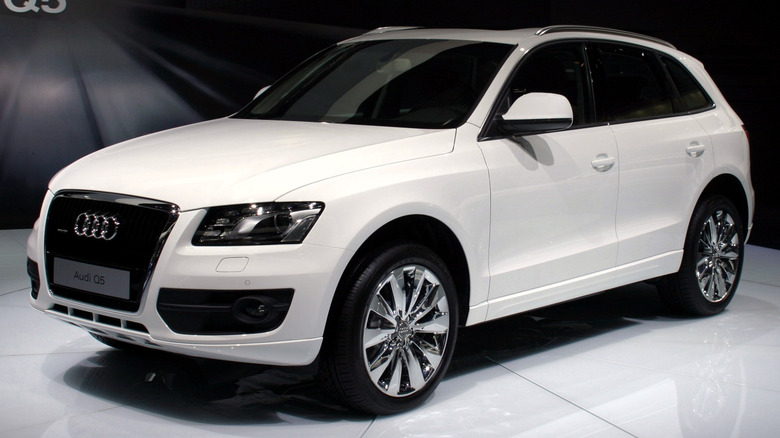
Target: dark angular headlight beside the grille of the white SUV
(257,224)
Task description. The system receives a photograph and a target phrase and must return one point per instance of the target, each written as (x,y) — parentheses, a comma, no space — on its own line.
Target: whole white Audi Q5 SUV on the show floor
(395,187)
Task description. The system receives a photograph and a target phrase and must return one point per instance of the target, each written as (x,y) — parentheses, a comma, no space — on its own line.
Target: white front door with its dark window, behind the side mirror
(553,196)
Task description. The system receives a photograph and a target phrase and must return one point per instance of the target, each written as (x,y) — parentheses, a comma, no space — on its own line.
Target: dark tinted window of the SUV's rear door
(628,83)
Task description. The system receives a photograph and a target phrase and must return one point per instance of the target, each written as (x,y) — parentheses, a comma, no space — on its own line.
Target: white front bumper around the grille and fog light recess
(310,272)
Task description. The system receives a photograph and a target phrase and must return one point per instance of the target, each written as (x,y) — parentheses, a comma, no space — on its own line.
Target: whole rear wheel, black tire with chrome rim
(712,261)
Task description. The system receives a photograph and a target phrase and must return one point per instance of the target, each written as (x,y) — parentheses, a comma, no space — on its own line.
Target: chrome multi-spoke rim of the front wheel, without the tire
(405,330)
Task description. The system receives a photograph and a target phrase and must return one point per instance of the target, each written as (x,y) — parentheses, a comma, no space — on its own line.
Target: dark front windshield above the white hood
(409,83)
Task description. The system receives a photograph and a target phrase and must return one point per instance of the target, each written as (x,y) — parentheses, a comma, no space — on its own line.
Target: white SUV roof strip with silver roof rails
(515,36)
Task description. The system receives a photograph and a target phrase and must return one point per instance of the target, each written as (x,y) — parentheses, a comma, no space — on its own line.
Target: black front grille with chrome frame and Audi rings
(132,246)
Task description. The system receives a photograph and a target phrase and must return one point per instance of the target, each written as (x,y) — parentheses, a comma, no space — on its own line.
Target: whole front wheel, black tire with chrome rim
(395,332)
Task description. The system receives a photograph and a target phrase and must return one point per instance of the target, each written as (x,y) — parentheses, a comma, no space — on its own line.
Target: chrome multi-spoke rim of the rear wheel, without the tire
(718,255)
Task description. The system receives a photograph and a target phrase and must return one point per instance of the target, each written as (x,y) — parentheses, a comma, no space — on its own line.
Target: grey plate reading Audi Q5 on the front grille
(96,279)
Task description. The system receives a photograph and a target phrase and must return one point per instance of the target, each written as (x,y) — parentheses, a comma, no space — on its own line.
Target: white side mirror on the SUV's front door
(537,113)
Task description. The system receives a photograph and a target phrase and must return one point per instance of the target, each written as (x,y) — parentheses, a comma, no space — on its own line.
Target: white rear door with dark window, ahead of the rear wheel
(664,152)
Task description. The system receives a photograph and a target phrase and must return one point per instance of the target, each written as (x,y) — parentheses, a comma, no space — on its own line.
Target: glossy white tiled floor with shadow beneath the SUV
(616,364)
